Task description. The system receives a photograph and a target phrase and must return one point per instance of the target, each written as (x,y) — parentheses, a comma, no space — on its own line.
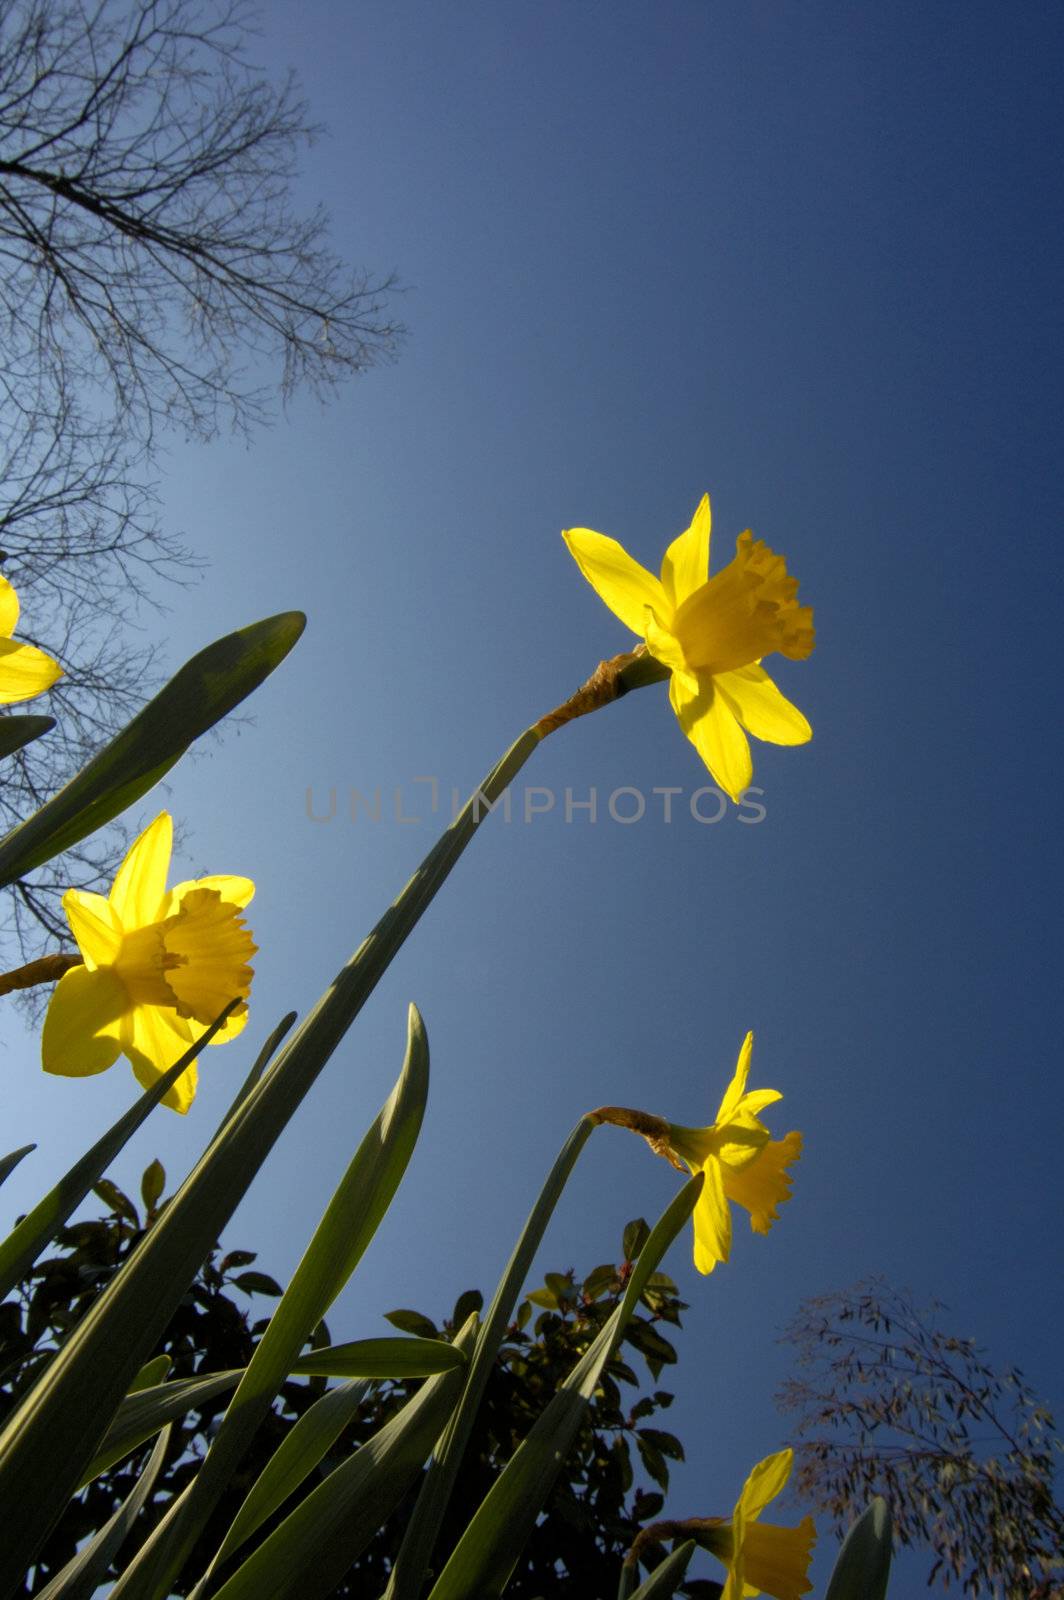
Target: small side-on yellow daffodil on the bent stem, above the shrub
(742,1162)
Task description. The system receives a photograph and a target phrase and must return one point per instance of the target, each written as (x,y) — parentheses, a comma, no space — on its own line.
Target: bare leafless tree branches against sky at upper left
(151,271)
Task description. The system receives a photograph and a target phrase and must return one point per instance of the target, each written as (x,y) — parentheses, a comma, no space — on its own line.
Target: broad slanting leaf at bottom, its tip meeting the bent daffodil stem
(314,1546)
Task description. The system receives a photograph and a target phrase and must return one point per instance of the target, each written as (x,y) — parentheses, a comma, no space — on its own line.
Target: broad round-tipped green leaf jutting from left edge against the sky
(198,697)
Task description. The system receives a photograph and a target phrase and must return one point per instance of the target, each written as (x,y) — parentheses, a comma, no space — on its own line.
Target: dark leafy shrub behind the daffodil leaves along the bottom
(599,1503)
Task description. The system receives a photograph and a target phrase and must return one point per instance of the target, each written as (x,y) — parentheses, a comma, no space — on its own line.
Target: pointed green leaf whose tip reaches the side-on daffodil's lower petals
(492,1545)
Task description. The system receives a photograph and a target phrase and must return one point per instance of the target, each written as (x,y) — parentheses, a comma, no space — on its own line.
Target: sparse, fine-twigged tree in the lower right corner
(886,1404)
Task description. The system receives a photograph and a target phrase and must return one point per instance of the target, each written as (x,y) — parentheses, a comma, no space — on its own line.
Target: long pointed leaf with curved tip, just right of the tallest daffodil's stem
(340,1241)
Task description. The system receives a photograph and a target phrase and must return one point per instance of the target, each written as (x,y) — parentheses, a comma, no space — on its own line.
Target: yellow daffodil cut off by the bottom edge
(761,1556)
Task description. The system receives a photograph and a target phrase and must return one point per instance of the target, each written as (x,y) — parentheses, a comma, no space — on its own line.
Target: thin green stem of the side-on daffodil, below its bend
(415,1554)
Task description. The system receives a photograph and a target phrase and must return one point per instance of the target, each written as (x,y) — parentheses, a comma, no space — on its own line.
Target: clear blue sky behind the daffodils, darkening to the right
(807,258)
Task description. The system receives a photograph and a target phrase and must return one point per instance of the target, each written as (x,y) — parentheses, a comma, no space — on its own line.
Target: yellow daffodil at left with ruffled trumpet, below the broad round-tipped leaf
(159,967)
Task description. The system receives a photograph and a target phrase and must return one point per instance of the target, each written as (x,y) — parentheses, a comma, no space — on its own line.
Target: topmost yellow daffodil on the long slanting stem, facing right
(711,633)
